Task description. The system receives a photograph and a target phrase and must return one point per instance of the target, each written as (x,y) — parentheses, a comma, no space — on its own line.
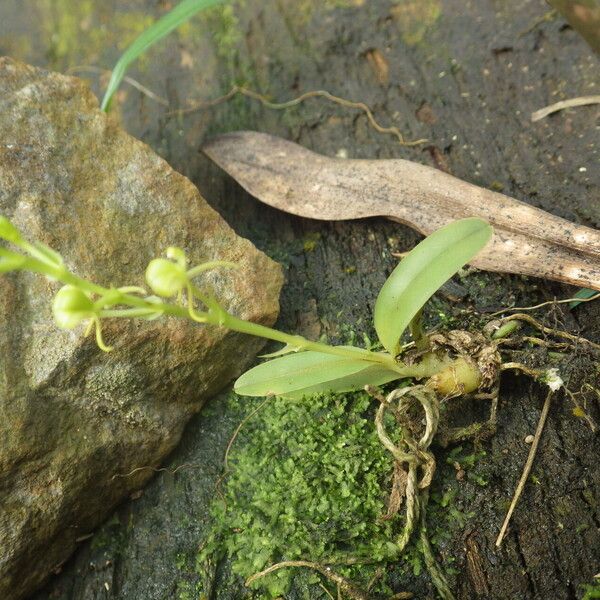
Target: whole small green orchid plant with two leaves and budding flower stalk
(302,367)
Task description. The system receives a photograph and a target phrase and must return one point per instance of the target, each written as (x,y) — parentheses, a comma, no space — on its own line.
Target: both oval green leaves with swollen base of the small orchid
(420,274)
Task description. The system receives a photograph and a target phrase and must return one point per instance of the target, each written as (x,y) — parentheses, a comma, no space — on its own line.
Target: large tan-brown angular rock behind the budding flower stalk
(78,425)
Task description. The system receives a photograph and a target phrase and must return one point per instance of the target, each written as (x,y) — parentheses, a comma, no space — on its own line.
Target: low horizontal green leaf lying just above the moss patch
(305,373)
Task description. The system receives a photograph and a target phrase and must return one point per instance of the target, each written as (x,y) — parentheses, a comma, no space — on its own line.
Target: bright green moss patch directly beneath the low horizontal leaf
(307,481)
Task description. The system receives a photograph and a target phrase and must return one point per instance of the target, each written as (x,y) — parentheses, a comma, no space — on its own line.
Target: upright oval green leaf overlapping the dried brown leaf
(421,273)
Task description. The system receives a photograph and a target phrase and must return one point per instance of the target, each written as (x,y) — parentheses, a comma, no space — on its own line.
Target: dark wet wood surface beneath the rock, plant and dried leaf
(466,75)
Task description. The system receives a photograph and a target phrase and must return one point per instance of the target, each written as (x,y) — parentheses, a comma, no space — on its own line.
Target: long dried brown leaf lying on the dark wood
(527,240)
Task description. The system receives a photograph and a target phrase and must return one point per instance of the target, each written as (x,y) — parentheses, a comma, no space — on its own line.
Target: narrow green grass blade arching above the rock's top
(173,19)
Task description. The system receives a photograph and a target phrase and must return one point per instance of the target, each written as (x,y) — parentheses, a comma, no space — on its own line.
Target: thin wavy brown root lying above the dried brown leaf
(236,89)
